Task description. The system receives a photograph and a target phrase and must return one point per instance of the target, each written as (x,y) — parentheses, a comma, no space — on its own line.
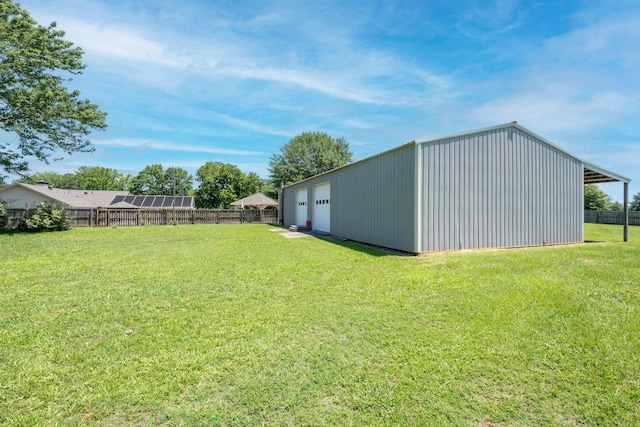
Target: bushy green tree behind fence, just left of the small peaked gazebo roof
(223,183)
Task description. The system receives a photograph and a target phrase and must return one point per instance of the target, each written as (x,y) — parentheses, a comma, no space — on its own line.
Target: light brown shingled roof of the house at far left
(71,198)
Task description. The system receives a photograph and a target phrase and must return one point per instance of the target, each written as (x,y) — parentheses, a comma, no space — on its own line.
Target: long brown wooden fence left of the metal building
(133,217)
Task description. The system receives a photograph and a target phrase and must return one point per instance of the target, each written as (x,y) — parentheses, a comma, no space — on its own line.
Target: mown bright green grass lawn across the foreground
(236,325)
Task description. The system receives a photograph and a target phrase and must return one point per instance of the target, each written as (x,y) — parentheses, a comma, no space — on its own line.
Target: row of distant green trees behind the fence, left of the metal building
(219,184)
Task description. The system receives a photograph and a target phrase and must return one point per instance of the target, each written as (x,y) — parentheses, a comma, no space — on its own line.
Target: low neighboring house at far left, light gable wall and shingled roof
(71,198)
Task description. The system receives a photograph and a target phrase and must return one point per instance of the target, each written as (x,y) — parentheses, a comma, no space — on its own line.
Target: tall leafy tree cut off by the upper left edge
(35,106)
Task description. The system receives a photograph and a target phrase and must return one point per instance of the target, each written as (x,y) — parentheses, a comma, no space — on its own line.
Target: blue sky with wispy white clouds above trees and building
(232,81)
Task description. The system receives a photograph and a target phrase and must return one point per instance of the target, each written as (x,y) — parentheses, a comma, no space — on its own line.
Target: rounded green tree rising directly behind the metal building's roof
(306,155)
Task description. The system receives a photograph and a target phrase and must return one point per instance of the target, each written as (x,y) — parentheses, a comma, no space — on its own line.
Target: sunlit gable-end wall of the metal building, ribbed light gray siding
(499,188)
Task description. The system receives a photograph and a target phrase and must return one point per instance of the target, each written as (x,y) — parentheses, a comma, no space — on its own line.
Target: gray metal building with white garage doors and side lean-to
(496,187)
